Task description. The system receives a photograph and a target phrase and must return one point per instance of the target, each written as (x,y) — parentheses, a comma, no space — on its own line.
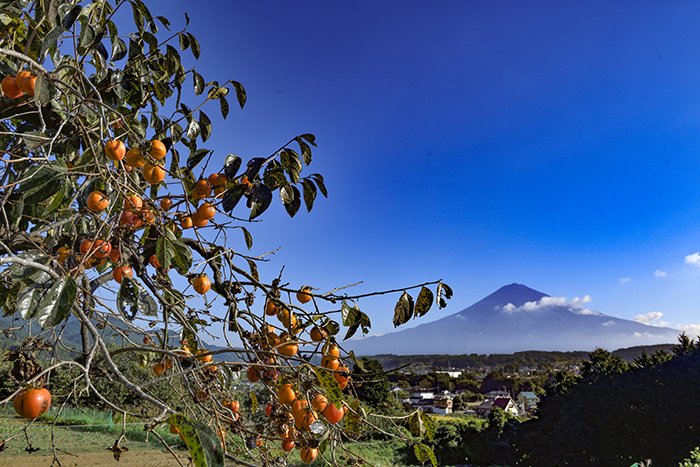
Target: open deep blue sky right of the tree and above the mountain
(554,144)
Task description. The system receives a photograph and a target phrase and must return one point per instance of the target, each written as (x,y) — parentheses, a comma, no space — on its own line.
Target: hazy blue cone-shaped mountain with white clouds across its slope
(516,318)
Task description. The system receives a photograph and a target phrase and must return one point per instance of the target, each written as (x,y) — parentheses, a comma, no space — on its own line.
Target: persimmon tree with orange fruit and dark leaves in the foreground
(114,215)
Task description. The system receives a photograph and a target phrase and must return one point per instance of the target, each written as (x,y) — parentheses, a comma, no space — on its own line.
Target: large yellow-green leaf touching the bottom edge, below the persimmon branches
(201,441)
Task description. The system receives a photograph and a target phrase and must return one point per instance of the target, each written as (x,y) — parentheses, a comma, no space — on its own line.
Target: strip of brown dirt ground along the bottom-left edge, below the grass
(97,459)
